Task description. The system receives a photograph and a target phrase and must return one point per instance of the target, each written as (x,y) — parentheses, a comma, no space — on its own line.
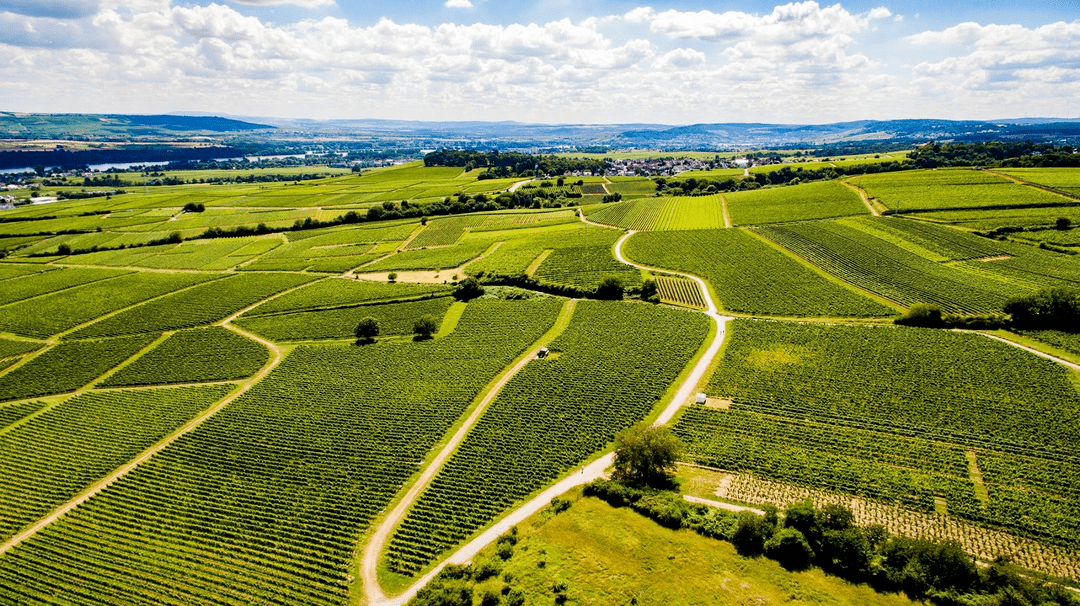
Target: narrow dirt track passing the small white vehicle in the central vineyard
(370,562)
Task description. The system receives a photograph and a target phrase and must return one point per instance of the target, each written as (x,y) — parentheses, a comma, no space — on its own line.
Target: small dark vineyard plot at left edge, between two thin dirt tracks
(69,367)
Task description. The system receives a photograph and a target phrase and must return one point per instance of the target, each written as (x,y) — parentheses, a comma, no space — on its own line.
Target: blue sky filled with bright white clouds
(545,61)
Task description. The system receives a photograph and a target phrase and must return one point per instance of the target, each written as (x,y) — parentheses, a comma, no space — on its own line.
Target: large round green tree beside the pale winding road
(646,455)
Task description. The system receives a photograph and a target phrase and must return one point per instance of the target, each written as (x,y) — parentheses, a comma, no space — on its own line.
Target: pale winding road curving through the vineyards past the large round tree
(588,474)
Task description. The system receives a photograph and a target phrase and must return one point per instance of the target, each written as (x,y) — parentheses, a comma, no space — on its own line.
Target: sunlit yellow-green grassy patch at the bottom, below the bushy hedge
(600,553)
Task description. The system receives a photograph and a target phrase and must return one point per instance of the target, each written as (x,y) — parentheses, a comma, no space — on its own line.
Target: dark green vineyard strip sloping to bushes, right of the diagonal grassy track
(893,272)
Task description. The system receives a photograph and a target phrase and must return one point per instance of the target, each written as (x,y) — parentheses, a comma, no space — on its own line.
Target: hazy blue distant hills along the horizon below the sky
(519,136)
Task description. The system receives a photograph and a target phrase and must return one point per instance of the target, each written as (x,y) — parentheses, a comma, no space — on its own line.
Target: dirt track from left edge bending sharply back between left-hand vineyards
(97,488)
